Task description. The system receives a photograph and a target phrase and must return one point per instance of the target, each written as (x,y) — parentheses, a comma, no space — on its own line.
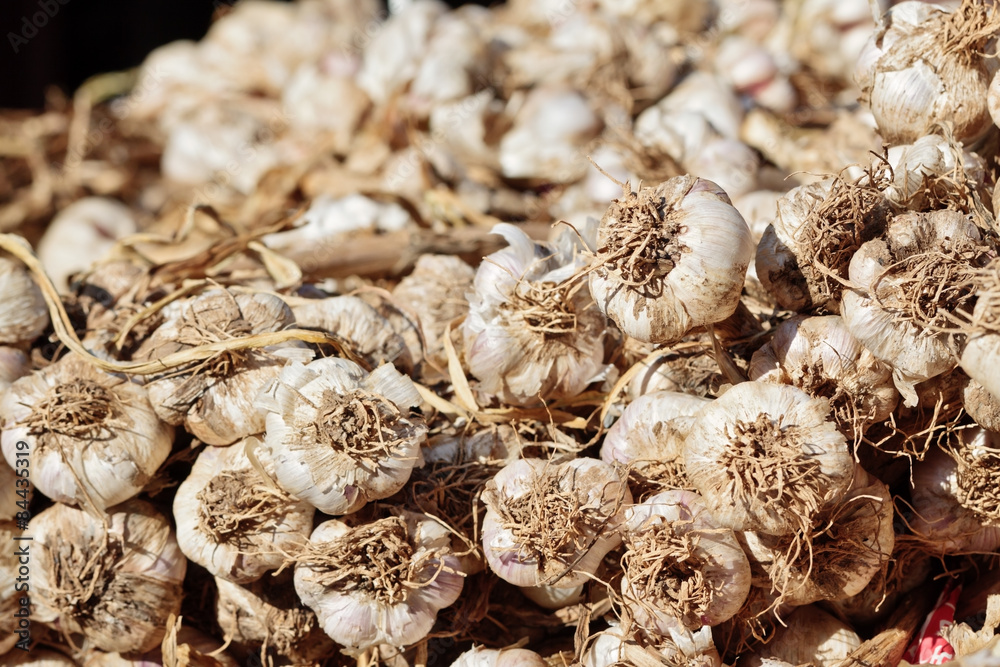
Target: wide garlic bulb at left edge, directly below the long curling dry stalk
(94,438)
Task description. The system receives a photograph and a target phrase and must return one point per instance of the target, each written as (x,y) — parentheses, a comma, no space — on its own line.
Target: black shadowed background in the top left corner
(81,38)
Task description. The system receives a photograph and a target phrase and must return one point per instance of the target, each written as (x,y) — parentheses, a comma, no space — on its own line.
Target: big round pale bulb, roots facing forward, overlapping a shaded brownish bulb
(767,457)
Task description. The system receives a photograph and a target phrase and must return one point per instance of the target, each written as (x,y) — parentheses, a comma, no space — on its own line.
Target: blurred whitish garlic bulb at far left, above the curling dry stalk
(82,234)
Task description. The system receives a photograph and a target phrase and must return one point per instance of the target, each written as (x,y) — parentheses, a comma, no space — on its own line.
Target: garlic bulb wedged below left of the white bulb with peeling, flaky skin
(231,521)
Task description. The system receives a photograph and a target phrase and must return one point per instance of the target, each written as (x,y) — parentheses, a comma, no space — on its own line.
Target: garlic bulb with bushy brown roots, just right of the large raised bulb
(817,229)
